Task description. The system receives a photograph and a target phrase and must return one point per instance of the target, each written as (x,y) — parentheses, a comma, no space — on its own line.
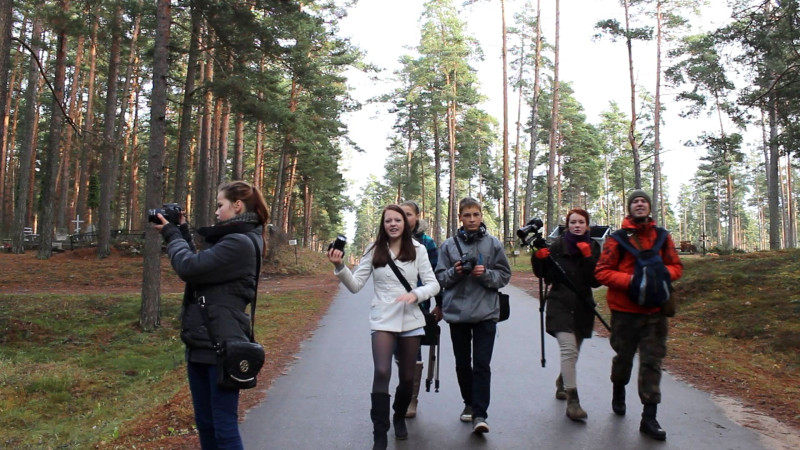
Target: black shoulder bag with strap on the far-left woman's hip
(238,361)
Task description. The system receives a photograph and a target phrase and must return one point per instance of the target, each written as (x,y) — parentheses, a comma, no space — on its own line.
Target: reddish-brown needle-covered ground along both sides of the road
(758,396)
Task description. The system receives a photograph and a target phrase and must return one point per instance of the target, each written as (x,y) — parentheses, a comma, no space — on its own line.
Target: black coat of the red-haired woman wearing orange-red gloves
(568,311)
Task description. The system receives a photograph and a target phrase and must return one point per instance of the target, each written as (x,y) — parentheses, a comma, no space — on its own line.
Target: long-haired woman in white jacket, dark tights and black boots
(396,320)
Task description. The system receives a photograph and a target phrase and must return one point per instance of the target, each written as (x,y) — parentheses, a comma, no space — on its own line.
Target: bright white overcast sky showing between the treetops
(598,71)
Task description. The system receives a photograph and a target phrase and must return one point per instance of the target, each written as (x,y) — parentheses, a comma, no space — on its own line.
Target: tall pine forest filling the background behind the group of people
(111,108)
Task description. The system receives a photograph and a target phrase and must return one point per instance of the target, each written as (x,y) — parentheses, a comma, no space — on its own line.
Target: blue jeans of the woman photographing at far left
(216,411)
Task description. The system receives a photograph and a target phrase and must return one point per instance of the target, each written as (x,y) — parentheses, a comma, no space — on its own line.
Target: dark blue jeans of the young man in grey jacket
(473,344)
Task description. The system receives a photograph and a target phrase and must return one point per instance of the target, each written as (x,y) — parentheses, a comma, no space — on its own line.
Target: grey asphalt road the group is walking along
(323,401)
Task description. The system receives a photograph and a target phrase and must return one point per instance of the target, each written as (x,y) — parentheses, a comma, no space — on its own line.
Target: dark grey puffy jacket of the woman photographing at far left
(224,276)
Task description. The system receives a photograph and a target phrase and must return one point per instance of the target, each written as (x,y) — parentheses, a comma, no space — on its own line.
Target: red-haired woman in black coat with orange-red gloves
(568,265)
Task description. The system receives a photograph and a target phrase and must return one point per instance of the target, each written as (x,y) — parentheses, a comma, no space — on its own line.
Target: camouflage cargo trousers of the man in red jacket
(647,334)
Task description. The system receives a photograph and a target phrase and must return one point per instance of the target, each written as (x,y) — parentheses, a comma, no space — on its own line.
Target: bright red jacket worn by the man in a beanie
(616,272)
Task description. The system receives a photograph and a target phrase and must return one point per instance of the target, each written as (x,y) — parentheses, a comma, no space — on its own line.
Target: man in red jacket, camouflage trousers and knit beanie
(633,326)
